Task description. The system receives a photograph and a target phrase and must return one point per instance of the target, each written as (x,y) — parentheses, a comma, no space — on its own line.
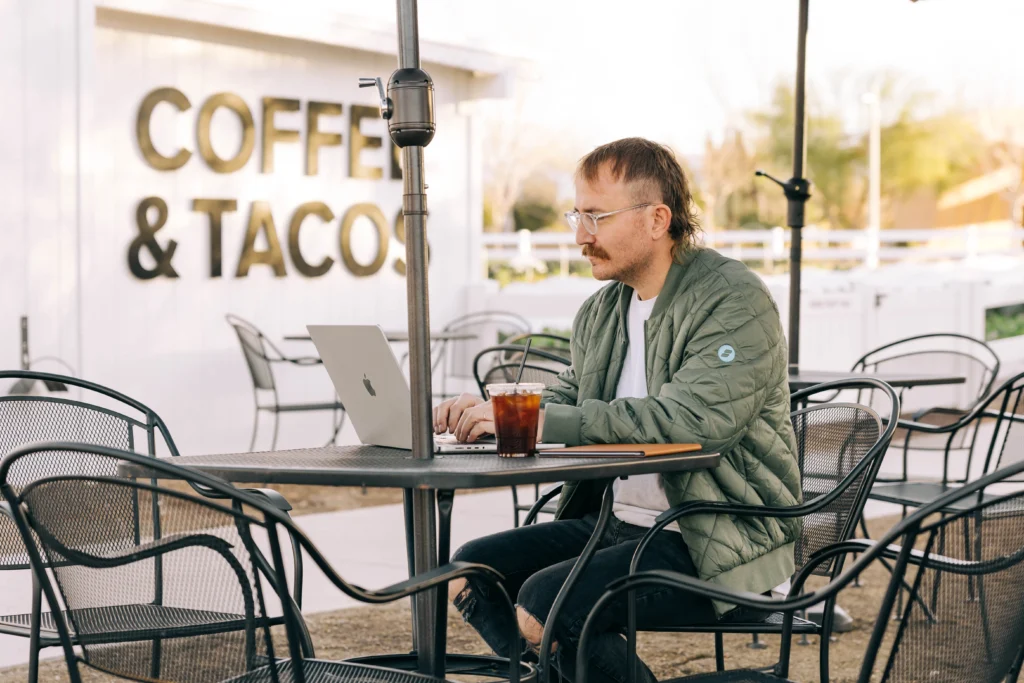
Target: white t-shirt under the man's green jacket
(641,499)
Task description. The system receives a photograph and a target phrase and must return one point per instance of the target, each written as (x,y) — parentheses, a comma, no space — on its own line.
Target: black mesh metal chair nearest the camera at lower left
(209,558)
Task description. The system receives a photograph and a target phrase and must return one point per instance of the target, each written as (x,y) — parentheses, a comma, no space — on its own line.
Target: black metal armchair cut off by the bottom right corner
(974,630)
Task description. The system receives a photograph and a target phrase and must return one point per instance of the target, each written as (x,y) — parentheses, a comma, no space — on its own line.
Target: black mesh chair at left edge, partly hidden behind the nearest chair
(110,419)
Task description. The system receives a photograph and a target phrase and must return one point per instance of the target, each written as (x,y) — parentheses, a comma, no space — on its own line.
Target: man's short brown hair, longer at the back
(655,175)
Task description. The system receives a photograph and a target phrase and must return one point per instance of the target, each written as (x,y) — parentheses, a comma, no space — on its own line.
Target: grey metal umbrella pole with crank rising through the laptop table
(408,106)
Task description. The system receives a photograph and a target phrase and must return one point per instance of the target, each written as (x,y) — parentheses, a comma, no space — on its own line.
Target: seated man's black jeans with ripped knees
(536,562)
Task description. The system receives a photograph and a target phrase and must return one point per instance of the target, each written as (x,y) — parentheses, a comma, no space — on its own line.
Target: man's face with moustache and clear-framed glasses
(622,245)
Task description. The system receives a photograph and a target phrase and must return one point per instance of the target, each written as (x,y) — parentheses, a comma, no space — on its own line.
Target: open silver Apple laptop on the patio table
(370,383)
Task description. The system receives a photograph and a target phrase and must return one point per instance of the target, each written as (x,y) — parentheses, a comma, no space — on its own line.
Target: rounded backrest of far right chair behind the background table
(938,354)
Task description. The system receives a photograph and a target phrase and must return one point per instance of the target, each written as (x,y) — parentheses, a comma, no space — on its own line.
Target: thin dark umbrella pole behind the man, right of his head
(798,192)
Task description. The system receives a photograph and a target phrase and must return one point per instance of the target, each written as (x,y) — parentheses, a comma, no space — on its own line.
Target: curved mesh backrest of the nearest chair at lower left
(204,619)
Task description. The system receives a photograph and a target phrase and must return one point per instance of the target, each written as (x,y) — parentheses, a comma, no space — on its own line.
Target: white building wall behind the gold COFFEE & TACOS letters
(72,177)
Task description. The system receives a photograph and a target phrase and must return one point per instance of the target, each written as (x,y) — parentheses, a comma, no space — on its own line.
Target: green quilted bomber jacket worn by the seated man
(716,376)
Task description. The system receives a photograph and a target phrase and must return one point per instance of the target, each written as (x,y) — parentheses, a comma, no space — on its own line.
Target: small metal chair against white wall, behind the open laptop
(262,355)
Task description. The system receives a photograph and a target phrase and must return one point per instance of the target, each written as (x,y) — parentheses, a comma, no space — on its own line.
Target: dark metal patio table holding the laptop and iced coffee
(395,468)
